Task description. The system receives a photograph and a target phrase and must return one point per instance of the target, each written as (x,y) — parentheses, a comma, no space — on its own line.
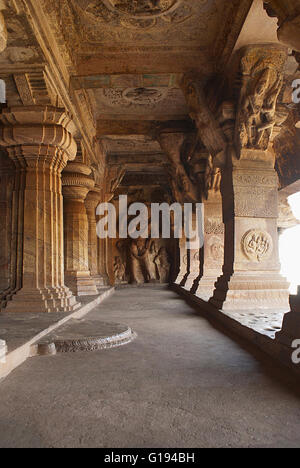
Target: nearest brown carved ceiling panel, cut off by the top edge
(139,22)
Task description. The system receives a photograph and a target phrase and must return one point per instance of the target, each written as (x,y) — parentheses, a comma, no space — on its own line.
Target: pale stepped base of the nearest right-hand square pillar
(246,291)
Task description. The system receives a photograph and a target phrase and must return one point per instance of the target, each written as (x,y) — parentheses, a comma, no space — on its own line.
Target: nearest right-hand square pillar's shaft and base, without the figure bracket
(251,271)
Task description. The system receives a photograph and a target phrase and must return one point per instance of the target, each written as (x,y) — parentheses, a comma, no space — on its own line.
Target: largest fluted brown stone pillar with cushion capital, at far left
(39,141)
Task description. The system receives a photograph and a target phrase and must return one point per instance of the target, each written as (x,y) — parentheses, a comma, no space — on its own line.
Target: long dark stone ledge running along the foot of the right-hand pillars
(266,342)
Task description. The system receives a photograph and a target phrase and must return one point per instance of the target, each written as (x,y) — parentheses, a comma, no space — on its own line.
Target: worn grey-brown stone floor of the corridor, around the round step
(181,383)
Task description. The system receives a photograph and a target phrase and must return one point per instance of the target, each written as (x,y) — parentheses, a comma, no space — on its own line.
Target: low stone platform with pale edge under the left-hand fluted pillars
(21,331)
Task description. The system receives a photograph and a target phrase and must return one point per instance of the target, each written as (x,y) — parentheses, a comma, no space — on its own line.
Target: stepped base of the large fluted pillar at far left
(57,300)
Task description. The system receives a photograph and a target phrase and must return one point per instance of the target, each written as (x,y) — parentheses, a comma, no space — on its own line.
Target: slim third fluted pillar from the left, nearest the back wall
(91,203)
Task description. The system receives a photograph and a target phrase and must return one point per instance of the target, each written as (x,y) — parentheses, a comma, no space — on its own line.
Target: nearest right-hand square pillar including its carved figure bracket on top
(251,275)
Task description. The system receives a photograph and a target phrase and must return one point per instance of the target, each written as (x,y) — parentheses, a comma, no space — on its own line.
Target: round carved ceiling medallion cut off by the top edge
(142,8)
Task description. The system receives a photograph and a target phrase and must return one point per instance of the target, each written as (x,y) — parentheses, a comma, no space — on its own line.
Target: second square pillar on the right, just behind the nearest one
(213,251)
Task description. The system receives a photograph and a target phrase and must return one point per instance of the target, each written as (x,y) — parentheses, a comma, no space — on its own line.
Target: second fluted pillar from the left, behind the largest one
(76,185)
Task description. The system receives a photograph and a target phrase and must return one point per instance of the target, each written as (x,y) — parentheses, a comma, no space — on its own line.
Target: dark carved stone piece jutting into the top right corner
(288,14)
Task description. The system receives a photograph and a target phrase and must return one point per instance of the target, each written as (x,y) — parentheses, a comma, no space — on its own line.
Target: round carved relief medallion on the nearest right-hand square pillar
(257,245)
